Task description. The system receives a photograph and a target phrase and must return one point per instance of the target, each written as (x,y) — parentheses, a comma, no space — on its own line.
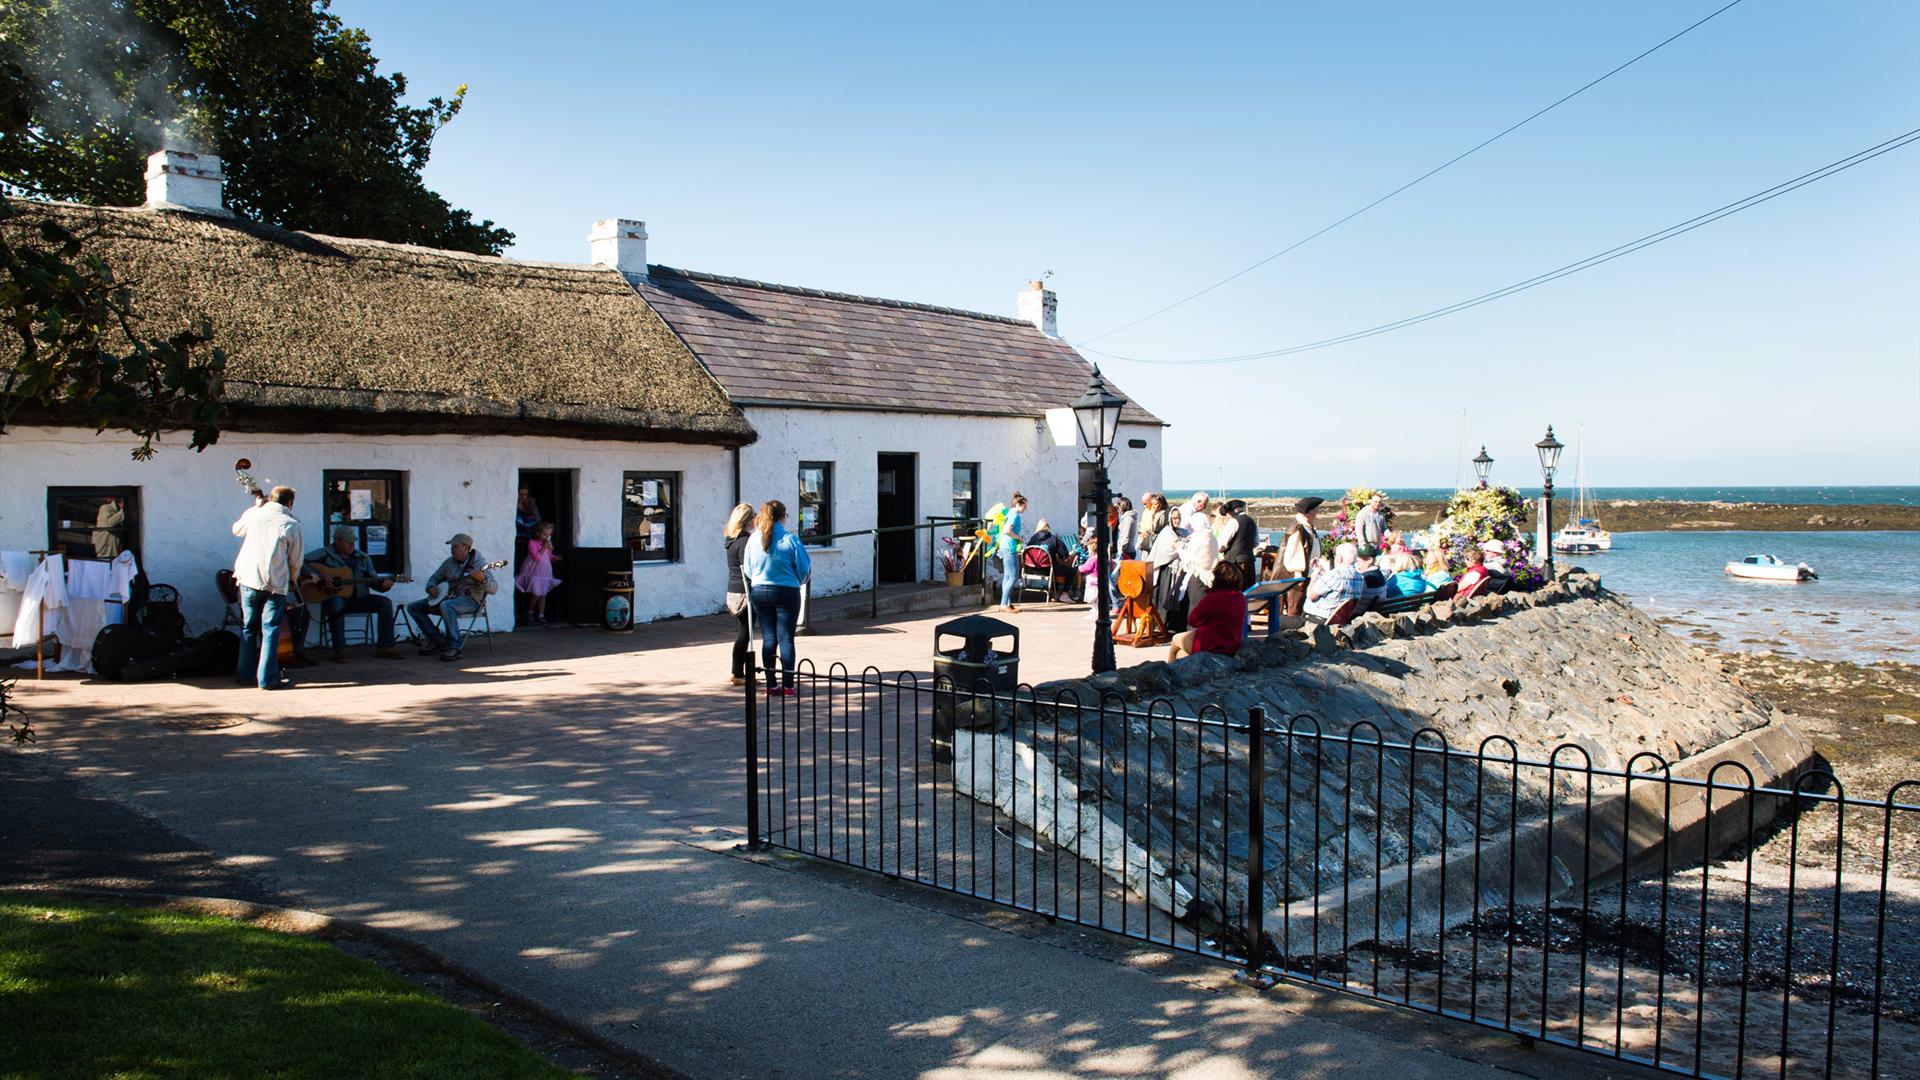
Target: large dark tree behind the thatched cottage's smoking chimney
(293,101)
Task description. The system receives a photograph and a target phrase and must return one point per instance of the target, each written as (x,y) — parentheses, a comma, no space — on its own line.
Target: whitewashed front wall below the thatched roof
(452,485)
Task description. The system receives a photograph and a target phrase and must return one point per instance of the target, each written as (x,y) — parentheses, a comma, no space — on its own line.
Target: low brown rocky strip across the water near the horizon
(1662,516)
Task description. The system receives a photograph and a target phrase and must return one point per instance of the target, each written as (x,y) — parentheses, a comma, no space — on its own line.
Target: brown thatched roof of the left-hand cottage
(356,335)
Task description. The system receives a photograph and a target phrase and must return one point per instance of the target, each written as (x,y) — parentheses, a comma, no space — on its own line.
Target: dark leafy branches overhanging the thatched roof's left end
(72,343)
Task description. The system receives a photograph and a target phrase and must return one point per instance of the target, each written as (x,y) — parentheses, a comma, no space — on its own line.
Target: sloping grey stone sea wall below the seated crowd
(1570,670)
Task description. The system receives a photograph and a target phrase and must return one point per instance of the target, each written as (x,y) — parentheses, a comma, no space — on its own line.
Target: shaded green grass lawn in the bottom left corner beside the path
(132,993)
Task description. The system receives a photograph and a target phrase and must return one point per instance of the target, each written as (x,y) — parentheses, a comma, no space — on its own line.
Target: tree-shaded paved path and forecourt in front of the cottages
(564,814)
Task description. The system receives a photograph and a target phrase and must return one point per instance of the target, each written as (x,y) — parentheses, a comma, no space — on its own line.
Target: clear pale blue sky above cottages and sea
(1140,153)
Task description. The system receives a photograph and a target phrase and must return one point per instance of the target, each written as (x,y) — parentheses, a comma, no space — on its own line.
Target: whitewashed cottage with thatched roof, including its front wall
(406,393)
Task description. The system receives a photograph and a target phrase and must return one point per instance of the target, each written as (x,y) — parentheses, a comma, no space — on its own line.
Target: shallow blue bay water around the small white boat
(1863,608)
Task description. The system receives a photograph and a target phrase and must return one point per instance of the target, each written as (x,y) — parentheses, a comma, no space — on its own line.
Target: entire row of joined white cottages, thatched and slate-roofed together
(412,393)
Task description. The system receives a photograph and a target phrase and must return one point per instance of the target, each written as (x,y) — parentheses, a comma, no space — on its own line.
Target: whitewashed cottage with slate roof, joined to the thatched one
(878,414)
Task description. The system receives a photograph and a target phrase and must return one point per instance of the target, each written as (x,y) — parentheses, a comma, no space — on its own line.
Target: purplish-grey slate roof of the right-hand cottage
(779,345)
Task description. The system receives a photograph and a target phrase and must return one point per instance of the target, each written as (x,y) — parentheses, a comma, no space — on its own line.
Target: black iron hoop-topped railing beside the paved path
(1696,923)
